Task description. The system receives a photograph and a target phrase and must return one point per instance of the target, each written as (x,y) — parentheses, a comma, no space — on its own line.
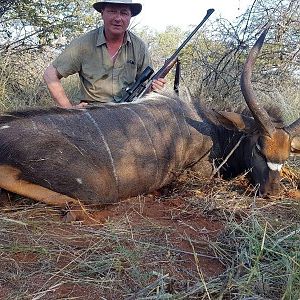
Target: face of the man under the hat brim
(116,18)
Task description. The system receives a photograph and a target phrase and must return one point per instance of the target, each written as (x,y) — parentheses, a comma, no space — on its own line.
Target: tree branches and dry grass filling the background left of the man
(26,27)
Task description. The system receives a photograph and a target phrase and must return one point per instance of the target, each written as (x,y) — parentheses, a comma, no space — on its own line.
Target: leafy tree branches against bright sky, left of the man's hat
(31,24)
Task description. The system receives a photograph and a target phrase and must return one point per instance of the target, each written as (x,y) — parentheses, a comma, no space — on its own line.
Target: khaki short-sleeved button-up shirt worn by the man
(101,79)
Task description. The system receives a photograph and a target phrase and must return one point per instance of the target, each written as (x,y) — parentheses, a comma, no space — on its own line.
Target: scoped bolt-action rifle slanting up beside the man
(139,88)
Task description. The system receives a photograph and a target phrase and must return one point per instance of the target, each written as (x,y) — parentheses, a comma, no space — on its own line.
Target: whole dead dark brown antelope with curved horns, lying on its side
(102,154)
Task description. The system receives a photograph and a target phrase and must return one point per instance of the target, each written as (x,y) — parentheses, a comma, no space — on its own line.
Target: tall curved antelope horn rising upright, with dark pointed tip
(258,113)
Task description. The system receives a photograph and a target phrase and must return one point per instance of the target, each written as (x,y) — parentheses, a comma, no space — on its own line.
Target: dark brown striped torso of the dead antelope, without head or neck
(103,153)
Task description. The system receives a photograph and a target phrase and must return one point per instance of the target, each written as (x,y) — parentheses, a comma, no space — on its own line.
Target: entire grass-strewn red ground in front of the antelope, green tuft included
(195,239)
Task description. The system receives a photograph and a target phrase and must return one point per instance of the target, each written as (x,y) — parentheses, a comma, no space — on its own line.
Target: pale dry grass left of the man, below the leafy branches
(22,84)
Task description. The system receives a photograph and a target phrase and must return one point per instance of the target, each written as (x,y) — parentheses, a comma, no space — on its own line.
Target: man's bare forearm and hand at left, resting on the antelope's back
(52,79)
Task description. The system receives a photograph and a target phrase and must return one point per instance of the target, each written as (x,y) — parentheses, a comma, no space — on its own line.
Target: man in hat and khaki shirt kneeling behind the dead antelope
(107,59)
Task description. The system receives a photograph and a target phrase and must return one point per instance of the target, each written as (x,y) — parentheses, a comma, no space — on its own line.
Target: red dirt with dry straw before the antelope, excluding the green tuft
(158,244)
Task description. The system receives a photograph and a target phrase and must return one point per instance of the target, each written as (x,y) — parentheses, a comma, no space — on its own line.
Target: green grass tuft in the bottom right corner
(265,259)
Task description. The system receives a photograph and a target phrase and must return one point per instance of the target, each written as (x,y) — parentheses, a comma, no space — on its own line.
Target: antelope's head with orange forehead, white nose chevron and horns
(272,145)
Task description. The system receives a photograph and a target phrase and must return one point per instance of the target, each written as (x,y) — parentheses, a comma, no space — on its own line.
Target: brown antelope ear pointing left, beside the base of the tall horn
(235,121)
